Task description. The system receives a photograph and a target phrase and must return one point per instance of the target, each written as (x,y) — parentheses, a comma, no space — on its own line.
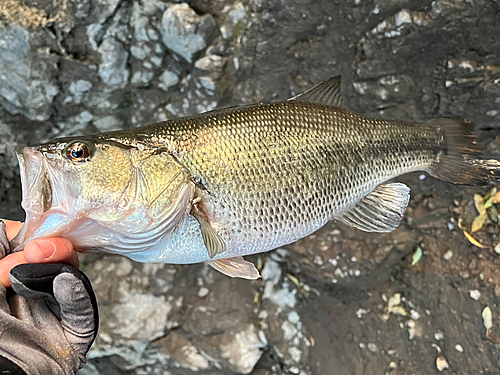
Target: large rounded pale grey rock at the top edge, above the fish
(184,32)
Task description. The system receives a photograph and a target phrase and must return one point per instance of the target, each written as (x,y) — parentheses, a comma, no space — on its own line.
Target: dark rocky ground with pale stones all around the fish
(337,302)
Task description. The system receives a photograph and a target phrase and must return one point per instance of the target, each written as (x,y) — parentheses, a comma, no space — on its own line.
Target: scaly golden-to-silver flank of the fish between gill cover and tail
(274,173)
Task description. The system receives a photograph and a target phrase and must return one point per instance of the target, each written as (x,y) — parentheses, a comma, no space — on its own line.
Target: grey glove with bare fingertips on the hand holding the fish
(48,320)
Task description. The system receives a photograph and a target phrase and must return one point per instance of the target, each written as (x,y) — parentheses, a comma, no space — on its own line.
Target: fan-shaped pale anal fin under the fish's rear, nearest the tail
(380,211)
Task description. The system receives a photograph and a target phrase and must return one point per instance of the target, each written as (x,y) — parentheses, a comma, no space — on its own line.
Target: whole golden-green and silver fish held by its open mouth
(239,180)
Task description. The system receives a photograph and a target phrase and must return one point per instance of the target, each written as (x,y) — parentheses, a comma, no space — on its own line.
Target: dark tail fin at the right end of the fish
(459,156)
